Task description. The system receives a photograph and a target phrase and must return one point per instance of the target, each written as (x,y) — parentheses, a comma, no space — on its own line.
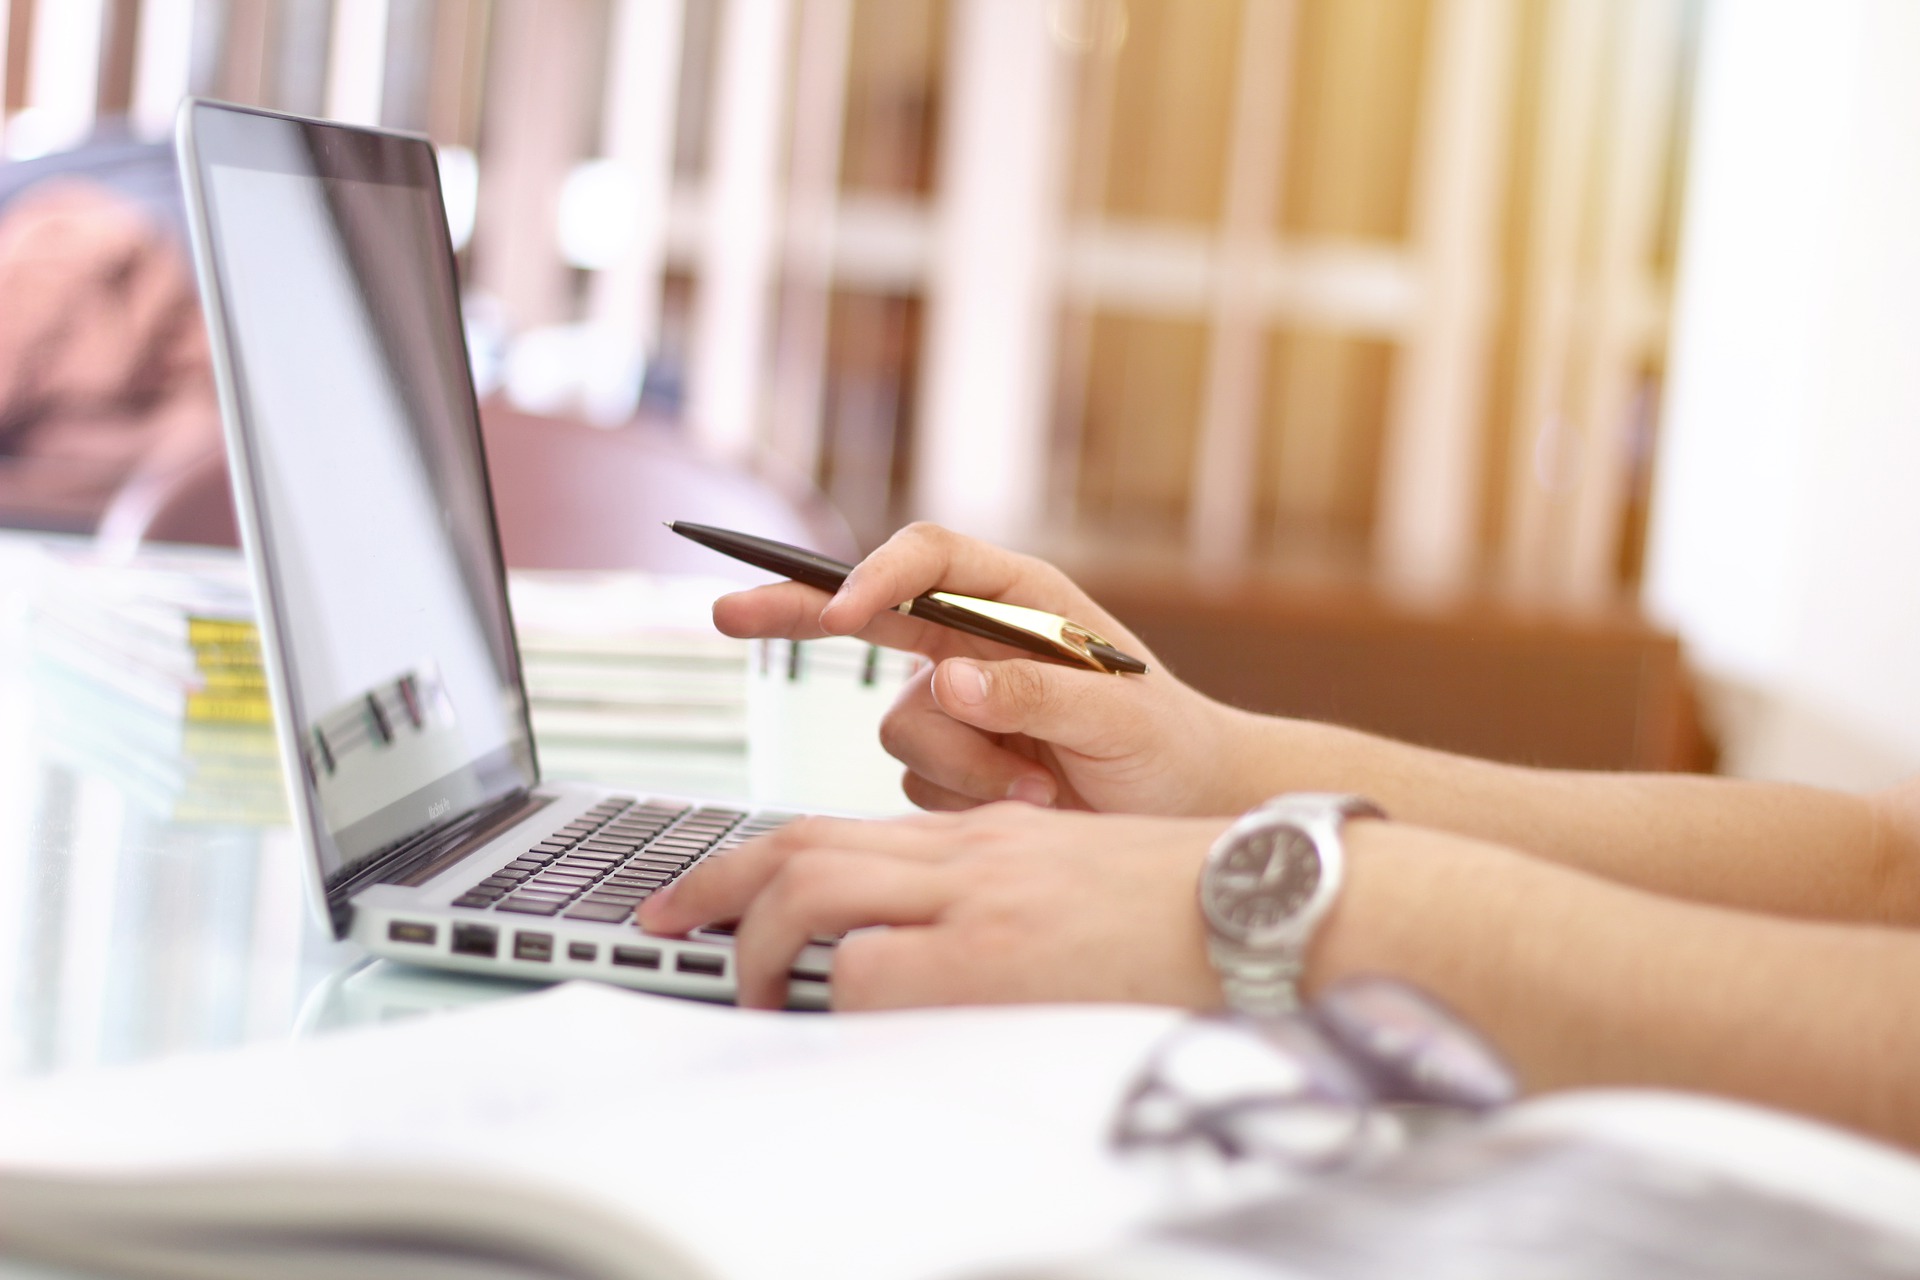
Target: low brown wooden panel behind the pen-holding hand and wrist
(1608,694)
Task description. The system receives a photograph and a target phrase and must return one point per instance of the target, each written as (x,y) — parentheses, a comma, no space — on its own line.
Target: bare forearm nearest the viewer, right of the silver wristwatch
(1583,982)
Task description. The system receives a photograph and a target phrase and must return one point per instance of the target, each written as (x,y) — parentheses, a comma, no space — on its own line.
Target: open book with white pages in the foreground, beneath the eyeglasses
(606,1135)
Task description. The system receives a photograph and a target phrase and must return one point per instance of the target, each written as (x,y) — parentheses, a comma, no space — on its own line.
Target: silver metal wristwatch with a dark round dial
(1266,886)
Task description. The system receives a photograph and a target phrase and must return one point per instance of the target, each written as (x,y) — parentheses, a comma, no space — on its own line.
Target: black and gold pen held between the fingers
(1032,630)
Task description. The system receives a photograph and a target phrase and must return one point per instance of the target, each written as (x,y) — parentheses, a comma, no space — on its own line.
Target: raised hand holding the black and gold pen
(984,724)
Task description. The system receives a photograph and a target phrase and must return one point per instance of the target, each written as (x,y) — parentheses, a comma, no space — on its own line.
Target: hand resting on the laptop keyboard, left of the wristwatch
(999,905)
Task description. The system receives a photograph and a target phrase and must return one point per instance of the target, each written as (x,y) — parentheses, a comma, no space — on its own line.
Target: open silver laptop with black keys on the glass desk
(362,490)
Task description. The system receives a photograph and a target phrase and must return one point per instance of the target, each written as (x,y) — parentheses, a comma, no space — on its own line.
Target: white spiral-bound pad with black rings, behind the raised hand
(813,726)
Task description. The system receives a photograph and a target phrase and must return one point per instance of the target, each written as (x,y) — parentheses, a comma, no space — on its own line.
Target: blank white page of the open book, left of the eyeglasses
(767,1145)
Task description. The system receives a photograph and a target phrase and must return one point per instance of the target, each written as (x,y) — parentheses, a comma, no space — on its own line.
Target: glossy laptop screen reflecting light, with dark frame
(360,435)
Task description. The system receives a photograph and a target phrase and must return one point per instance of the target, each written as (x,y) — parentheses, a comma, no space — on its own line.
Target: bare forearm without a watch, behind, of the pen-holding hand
(1765,847)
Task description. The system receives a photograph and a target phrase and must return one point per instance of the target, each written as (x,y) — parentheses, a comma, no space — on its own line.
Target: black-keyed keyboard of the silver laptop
(612,859)
